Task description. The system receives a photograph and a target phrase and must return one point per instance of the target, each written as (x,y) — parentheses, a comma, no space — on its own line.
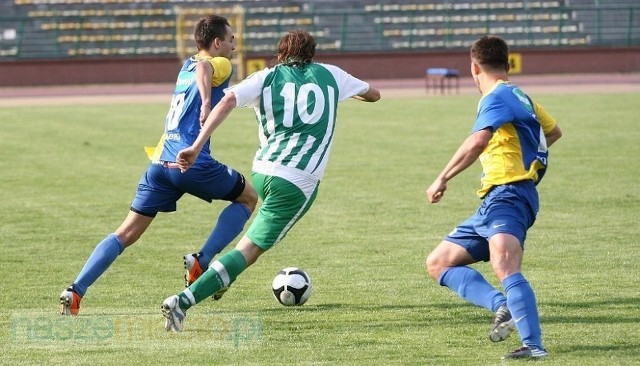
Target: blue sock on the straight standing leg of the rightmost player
(522,304)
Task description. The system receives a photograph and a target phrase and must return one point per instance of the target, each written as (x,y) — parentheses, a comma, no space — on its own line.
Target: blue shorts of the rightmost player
(509,208)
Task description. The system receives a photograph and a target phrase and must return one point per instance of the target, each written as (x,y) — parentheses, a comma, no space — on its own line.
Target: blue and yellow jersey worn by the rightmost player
(518,149)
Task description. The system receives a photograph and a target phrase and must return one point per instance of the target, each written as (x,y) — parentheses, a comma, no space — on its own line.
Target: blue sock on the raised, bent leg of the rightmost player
(471,286)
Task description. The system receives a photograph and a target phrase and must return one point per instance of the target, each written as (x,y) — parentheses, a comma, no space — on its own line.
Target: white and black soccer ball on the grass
(292,286)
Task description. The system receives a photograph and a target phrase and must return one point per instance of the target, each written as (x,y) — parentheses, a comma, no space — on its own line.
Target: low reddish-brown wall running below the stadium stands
(397,65)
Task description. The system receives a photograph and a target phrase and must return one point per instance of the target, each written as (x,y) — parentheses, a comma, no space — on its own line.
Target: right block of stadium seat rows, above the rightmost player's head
(438,25)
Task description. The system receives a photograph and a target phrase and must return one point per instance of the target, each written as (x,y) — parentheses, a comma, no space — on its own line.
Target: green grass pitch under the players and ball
(69,174)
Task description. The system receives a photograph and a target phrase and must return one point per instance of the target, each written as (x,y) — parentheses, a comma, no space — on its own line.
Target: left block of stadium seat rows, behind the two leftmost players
(139,27)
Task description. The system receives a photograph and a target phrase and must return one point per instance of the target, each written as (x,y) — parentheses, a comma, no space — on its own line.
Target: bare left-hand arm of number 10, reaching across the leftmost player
(186,157)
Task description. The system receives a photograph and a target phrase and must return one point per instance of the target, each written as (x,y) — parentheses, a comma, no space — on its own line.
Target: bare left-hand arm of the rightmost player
(464,157)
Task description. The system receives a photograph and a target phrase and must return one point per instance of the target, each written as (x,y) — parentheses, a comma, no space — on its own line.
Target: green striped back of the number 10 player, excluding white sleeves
(299,110)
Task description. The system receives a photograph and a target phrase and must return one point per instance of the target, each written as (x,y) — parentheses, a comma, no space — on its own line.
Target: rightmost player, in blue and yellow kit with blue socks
(510,137)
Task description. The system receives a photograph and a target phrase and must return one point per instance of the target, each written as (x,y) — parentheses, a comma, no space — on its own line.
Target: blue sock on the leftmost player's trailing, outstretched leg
(103,255)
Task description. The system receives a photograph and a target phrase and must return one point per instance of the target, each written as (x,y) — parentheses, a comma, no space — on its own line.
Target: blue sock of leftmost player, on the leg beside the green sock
(230,224)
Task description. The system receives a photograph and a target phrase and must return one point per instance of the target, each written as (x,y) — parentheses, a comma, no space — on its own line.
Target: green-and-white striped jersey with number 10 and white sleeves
(295,108)
